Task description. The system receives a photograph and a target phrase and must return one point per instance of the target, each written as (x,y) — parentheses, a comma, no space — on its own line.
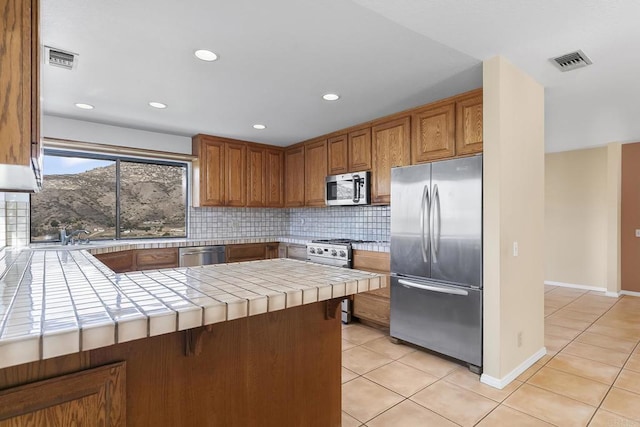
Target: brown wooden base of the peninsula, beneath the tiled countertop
(280,368)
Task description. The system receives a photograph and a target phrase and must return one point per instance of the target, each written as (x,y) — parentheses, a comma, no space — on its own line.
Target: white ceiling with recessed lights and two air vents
(278,57)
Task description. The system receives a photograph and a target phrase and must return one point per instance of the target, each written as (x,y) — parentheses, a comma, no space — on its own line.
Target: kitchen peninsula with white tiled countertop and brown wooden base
(241,344)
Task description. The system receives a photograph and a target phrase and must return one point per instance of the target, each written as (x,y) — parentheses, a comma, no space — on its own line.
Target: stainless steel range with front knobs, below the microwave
(336,252)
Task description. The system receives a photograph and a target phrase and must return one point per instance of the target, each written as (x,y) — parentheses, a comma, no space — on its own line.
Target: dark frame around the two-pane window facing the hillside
(87,154)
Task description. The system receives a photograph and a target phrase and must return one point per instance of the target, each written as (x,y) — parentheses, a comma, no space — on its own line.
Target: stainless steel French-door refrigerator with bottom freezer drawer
(436,257)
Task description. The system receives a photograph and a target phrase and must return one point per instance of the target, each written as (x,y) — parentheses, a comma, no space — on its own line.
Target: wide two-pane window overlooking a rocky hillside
(112,197)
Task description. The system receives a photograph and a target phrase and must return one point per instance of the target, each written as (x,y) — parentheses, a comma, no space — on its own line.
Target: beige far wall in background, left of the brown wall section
(576,217)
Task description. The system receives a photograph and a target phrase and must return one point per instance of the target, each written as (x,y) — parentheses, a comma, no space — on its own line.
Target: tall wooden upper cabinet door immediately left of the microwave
(315,172)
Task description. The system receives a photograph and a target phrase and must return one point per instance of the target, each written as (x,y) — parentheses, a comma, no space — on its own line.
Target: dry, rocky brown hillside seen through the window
(152,202)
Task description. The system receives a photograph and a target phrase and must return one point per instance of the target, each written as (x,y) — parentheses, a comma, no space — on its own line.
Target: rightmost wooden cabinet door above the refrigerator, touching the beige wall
(469,124)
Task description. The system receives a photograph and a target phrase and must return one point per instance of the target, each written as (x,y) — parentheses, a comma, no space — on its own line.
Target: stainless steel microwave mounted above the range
(348,189)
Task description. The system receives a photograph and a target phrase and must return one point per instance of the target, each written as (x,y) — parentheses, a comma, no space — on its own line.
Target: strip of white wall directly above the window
(78,130)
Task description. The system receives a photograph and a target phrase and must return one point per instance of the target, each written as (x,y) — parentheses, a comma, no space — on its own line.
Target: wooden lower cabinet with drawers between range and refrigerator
(373,306)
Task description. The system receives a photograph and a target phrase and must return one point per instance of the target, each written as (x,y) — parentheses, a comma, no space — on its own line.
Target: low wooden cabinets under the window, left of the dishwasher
(140,259)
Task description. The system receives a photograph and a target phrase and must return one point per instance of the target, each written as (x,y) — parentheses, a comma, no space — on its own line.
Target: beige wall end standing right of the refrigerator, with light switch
(513,211)
